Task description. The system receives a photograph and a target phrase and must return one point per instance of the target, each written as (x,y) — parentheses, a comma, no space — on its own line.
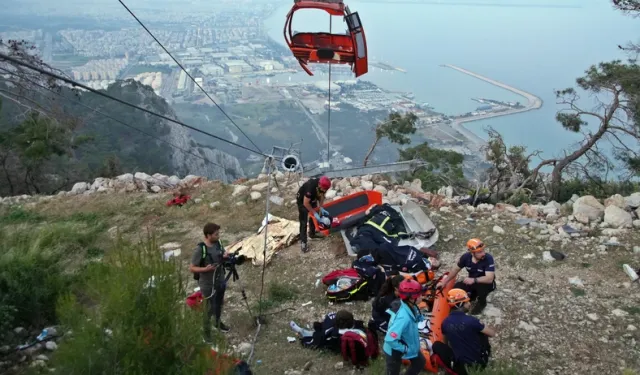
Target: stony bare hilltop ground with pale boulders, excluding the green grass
(563,303)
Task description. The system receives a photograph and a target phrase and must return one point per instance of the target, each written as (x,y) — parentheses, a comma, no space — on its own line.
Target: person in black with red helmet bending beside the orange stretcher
(310,198)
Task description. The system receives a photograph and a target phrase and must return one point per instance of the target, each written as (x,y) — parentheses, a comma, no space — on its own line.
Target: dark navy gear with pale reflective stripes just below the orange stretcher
(380,228)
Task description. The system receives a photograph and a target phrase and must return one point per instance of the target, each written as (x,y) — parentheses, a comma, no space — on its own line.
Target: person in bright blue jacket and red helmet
(403,339)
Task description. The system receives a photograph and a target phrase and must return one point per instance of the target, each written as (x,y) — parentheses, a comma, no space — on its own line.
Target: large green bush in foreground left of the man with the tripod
(130,318)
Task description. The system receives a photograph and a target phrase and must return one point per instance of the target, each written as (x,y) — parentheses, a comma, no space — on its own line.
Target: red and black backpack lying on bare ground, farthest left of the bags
(346,285)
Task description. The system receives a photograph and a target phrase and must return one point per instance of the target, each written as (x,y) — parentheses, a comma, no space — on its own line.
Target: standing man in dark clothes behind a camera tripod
(207,266)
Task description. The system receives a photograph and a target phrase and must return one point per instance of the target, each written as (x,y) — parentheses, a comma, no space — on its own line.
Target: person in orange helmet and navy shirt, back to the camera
(466,339)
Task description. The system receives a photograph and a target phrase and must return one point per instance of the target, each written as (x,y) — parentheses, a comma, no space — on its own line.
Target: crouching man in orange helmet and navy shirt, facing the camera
(481,269)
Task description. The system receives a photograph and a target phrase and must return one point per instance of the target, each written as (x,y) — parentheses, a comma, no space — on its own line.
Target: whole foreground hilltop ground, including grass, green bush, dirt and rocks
(91,253)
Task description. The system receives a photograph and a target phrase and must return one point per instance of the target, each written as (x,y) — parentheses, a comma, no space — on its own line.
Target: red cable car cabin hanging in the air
(325,48)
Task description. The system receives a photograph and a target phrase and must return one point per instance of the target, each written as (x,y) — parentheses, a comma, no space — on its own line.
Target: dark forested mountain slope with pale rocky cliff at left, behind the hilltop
(112,148)
